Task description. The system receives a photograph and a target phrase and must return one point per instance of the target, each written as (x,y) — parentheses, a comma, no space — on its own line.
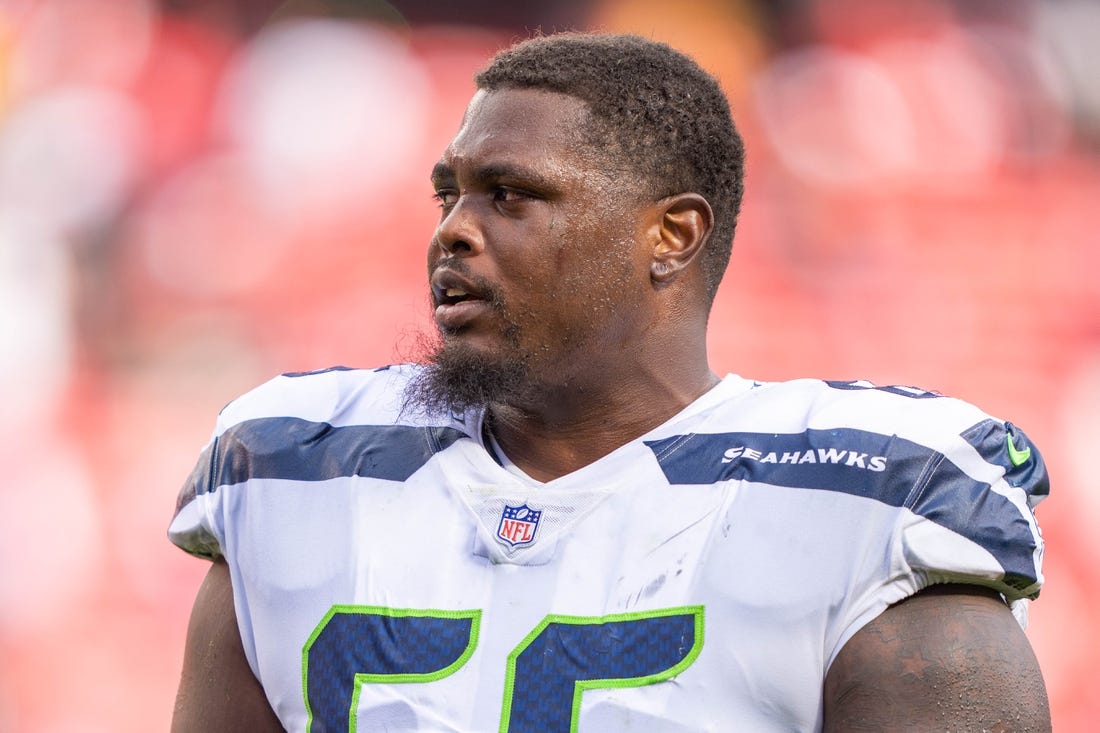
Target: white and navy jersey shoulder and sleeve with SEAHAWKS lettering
(961,483)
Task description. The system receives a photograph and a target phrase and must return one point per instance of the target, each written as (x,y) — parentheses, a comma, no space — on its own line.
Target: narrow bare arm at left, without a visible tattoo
(217,690)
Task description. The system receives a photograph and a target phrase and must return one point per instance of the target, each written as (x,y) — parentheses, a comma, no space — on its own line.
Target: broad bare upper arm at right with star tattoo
(950,659)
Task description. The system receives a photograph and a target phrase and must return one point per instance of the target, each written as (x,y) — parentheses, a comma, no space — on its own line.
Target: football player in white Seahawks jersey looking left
(565,520)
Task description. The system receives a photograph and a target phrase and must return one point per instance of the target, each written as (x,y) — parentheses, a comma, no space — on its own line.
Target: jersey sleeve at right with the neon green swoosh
(972,516)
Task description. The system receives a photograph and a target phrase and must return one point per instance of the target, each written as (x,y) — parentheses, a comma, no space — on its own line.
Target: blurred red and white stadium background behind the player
(196,196)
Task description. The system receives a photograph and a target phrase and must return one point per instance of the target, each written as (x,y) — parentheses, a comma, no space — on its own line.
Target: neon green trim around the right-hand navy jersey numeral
(580,686)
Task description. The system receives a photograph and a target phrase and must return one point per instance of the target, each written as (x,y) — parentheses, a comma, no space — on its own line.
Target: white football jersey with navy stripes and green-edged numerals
(392,573)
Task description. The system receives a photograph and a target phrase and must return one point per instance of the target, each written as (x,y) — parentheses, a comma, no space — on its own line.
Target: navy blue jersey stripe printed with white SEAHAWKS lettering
(888,469)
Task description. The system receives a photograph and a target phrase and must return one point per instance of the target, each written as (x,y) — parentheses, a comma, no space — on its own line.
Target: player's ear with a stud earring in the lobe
(683,226)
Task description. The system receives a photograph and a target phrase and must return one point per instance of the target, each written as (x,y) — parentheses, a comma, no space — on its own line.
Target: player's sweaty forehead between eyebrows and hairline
(530,127)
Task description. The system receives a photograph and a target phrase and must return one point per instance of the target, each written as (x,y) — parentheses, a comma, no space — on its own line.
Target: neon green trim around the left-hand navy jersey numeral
(362,679)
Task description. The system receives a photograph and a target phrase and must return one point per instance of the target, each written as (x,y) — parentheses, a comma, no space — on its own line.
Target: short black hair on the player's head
(655,112)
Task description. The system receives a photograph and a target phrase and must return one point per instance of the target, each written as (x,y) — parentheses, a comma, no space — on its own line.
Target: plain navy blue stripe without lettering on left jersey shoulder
(295,450)
